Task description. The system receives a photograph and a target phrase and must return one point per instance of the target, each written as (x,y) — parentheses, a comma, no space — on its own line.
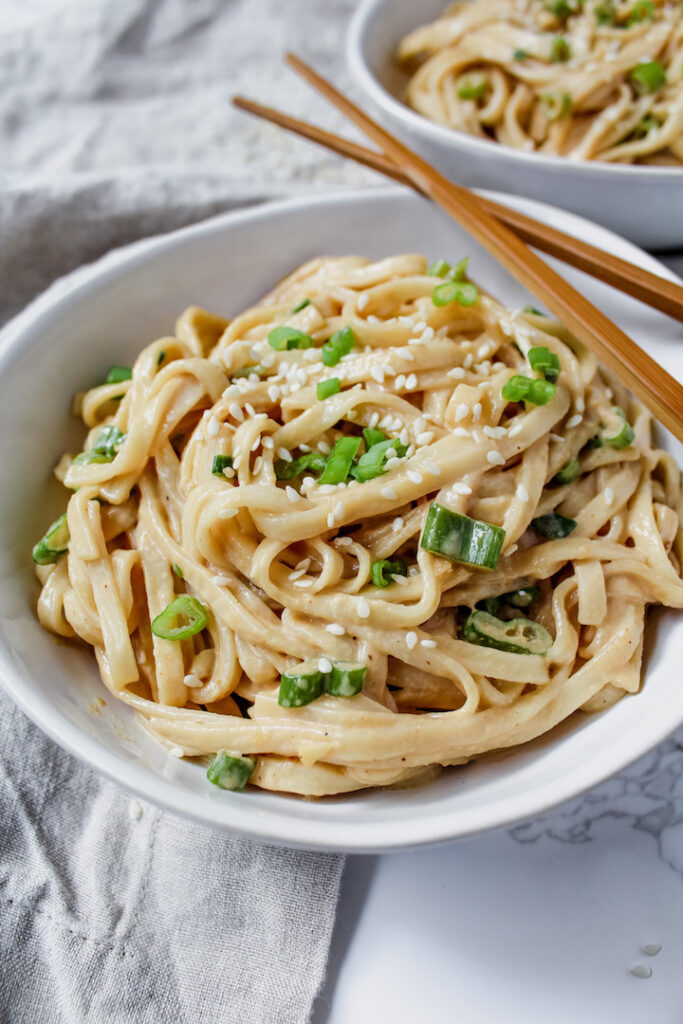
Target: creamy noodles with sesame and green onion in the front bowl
(189,489)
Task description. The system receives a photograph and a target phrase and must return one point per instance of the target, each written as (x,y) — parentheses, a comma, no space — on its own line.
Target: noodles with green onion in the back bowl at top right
(583,79)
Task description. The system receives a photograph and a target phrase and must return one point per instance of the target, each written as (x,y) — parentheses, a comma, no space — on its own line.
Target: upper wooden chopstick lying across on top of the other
(651,382)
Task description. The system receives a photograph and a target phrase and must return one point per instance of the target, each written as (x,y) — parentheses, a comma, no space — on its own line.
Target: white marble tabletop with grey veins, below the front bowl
(543,922)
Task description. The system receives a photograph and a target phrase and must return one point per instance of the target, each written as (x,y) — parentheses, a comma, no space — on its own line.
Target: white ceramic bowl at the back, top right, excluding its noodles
(646,204)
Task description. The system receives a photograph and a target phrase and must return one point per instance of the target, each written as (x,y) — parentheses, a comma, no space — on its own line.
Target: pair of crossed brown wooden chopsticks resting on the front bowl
(505,234)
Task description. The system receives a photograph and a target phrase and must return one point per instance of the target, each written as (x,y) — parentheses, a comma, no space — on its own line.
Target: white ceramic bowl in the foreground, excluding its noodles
(106,314)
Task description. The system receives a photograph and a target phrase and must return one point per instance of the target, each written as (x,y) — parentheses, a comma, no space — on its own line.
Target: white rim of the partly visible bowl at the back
(361,72)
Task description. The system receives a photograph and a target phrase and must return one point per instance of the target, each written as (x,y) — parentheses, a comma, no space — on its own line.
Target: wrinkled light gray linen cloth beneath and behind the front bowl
(115,124)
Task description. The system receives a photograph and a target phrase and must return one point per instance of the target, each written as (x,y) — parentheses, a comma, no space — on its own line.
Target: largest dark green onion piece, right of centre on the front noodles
(472,542)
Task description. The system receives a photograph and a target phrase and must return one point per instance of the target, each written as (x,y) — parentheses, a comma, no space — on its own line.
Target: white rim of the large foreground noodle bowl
(233,814)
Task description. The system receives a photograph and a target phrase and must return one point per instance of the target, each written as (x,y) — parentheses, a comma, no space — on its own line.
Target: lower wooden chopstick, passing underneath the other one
(658,292)
